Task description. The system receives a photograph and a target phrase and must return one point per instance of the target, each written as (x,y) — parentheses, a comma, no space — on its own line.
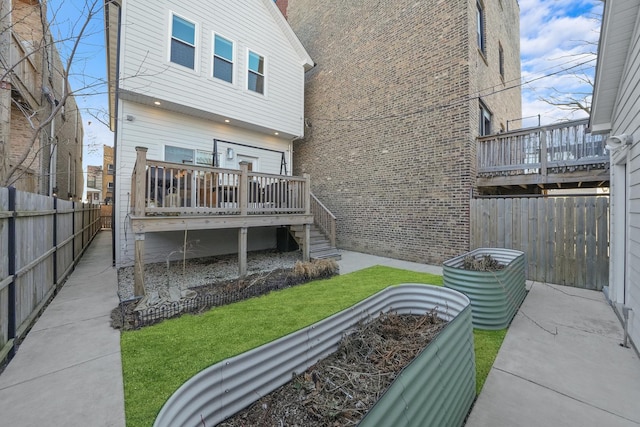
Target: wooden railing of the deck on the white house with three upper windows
(172,189)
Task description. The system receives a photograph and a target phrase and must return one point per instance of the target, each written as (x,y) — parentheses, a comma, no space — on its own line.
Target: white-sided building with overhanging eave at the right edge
(615,109)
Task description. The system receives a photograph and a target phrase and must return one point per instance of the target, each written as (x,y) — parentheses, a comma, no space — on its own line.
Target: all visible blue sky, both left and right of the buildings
(556,36)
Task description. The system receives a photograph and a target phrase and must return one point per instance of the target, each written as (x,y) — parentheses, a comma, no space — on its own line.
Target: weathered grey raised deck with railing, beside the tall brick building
(564,155)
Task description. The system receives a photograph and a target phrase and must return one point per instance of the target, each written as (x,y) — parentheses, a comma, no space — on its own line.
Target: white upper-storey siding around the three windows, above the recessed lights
(144,71)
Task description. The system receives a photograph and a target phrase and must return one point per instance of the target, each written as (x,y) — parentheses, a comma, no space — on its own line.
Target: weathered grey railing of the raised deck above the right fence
(560,148)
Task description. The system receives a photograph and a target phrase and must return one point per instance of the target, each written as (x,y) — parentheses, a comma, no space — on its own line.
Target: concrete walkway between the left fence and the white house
(68,372)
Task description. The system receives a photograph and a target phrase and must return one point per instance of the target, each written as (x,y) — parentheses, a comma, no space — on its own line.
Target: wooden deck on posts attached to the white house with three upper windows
(171,197)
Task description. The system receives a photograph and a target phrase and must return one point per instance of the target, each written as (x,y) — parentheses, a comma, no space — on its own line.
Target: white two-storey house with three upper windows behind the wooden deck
(189,77)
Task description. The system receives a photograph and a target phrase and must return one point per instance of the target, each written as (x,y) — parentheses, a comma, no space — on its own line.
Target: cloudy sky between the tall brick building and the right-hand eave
(558,40)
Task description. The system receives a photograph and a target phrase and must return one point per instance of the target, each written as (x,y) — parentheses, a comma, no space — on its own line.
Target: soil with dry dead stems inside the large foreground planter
(340,389)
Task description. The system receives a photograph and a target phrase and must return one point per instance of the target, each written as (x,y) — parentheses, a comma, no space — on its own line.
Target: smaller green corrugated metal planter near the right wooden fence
(495,295)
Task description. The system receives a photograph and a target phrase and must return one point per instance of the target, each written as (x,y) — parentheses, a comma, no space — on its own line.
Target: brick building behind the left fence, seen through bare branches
(37,83)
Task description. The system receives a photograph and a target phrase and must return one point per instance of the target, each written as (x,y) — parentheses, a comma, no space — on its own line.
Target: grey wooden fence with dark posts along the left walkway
(41,240)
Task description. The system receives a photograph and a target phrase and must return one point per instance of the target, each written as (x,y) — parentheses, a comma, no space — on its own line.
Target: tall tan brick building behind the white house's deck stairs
(399,95)
